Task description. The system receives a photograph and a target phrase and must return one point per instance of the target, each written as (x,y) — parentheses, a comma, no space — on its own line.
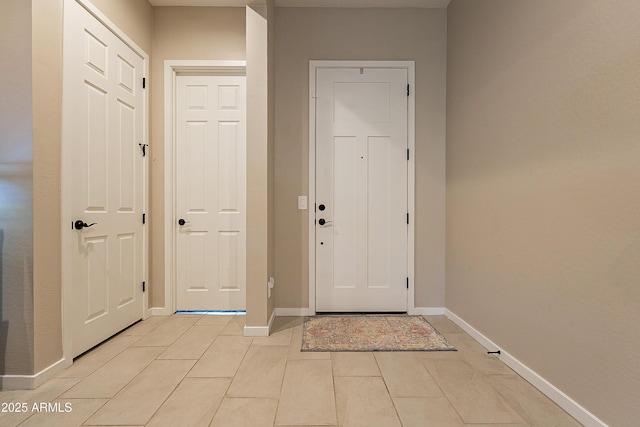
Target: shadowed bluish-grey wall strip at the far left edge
(16,198)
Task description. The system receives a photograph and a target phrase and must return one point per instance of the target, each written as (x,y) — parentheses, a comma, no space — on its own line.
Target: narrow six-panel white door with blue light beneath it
(210,193)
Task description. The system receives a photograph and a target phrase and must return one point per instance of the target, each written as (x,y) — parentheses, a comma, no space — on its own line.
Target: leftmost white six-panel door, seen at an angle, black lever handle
(104,124)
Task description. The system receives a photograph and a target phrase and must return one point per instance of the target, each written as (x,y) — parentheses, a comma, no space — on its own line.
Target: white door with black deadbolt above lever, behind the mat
(361,189)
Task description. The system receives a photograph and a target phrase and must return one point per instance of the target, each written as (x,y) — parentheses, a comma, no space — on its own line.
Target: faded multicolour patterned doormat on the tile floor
(371,333)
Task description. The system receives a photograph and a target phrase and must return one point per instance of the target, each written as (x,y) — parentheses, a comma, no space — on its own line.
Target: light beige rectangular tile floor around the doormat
(195,370)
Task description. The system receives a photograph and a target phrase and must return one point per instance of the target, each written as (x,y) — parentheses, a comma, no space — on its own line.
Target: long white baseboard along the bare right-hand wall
(552,392)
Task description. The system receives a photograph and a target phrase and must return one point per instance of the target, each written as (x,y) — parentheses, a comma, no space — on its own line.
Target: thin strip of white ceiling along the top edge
(309,3)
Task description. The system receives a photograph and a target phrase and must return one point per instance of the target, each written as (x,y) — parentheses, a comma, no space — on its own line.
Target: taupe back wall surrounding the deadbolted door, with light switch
(304,34)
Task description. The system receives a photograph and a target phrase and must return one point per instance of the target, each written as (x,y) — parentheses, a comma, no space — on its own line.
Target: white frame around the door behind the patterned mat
(313,67)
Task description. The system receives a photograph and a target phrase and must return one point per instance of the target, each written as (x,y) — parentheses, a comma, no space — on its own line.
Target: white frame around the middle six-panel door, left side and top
(173,68)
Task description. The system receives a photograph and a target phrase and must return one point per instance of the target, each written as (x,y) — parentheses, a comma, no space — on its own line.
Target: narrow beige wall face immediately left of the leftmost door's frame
(47,136)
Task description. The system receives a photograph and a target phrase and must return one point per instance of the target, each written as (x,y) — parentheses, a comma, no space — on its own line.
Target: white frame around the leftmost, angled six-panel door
(67,190)
